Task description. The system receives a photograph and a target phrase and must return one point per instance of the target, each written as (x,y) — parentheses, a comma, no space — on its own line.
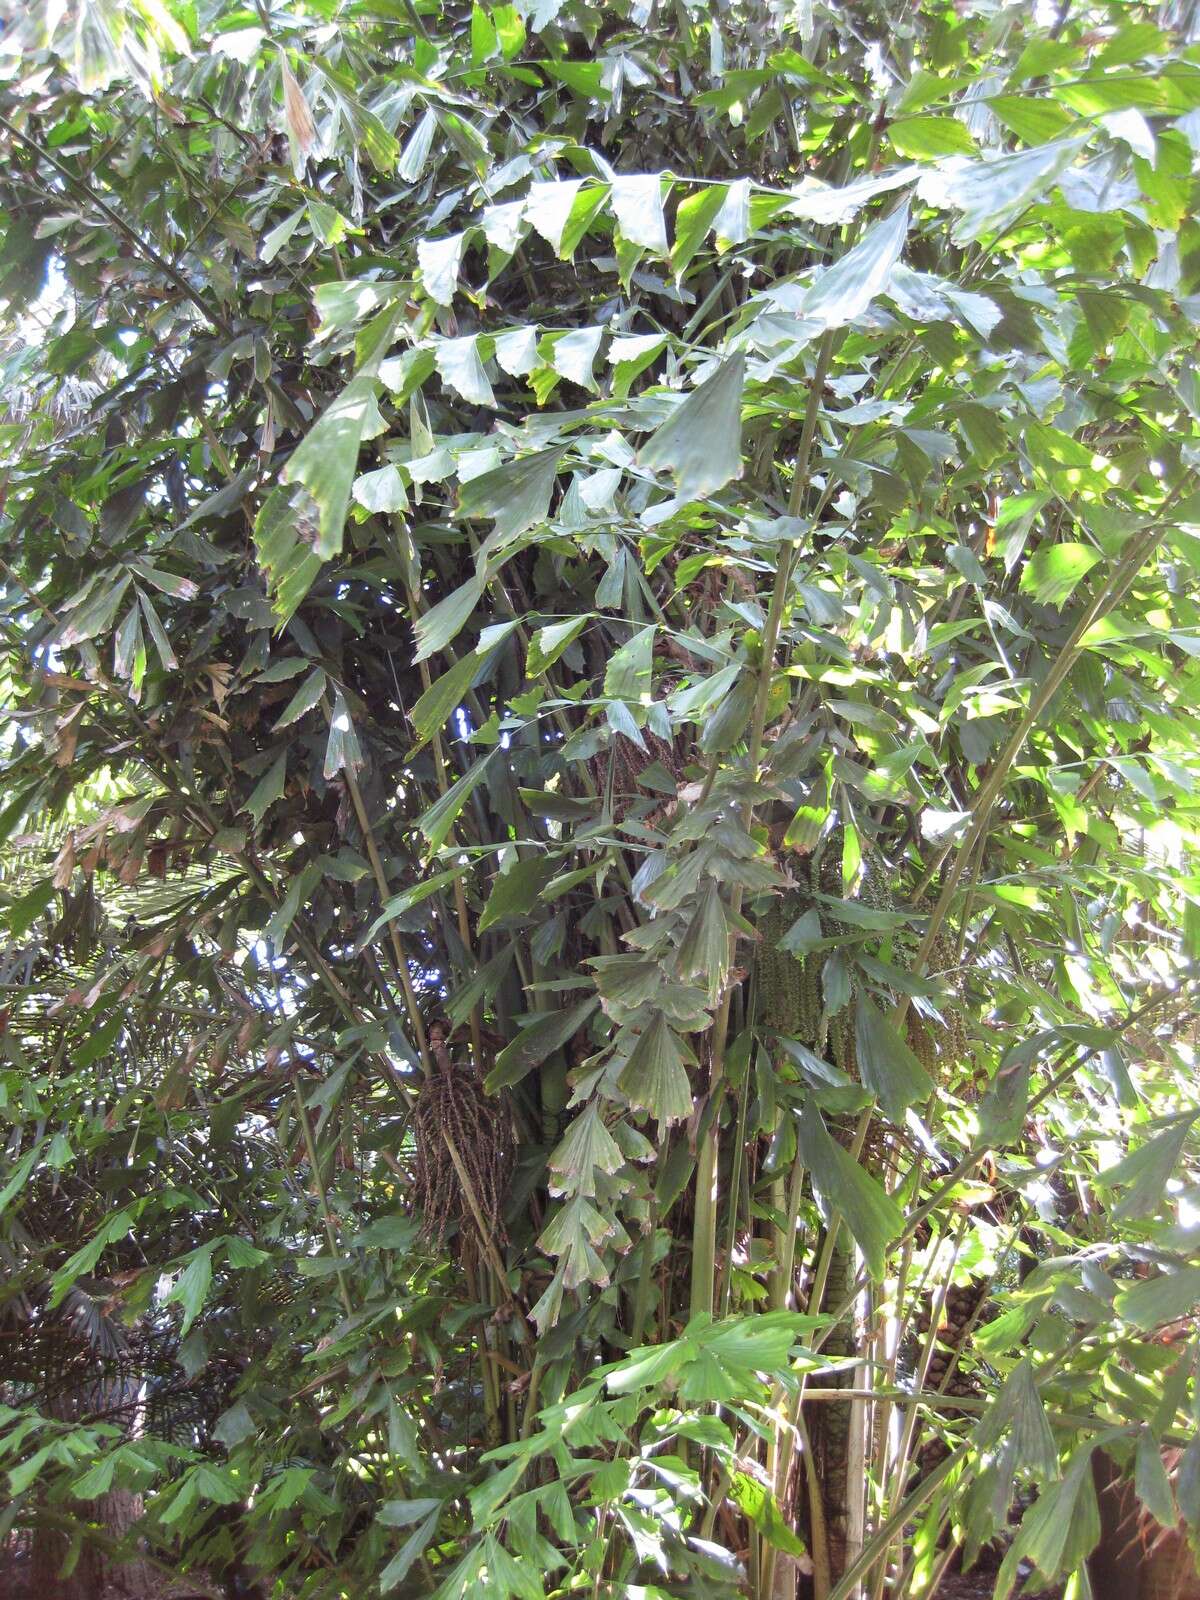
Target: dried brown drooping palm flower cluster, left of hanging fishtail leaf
(454,1110)
